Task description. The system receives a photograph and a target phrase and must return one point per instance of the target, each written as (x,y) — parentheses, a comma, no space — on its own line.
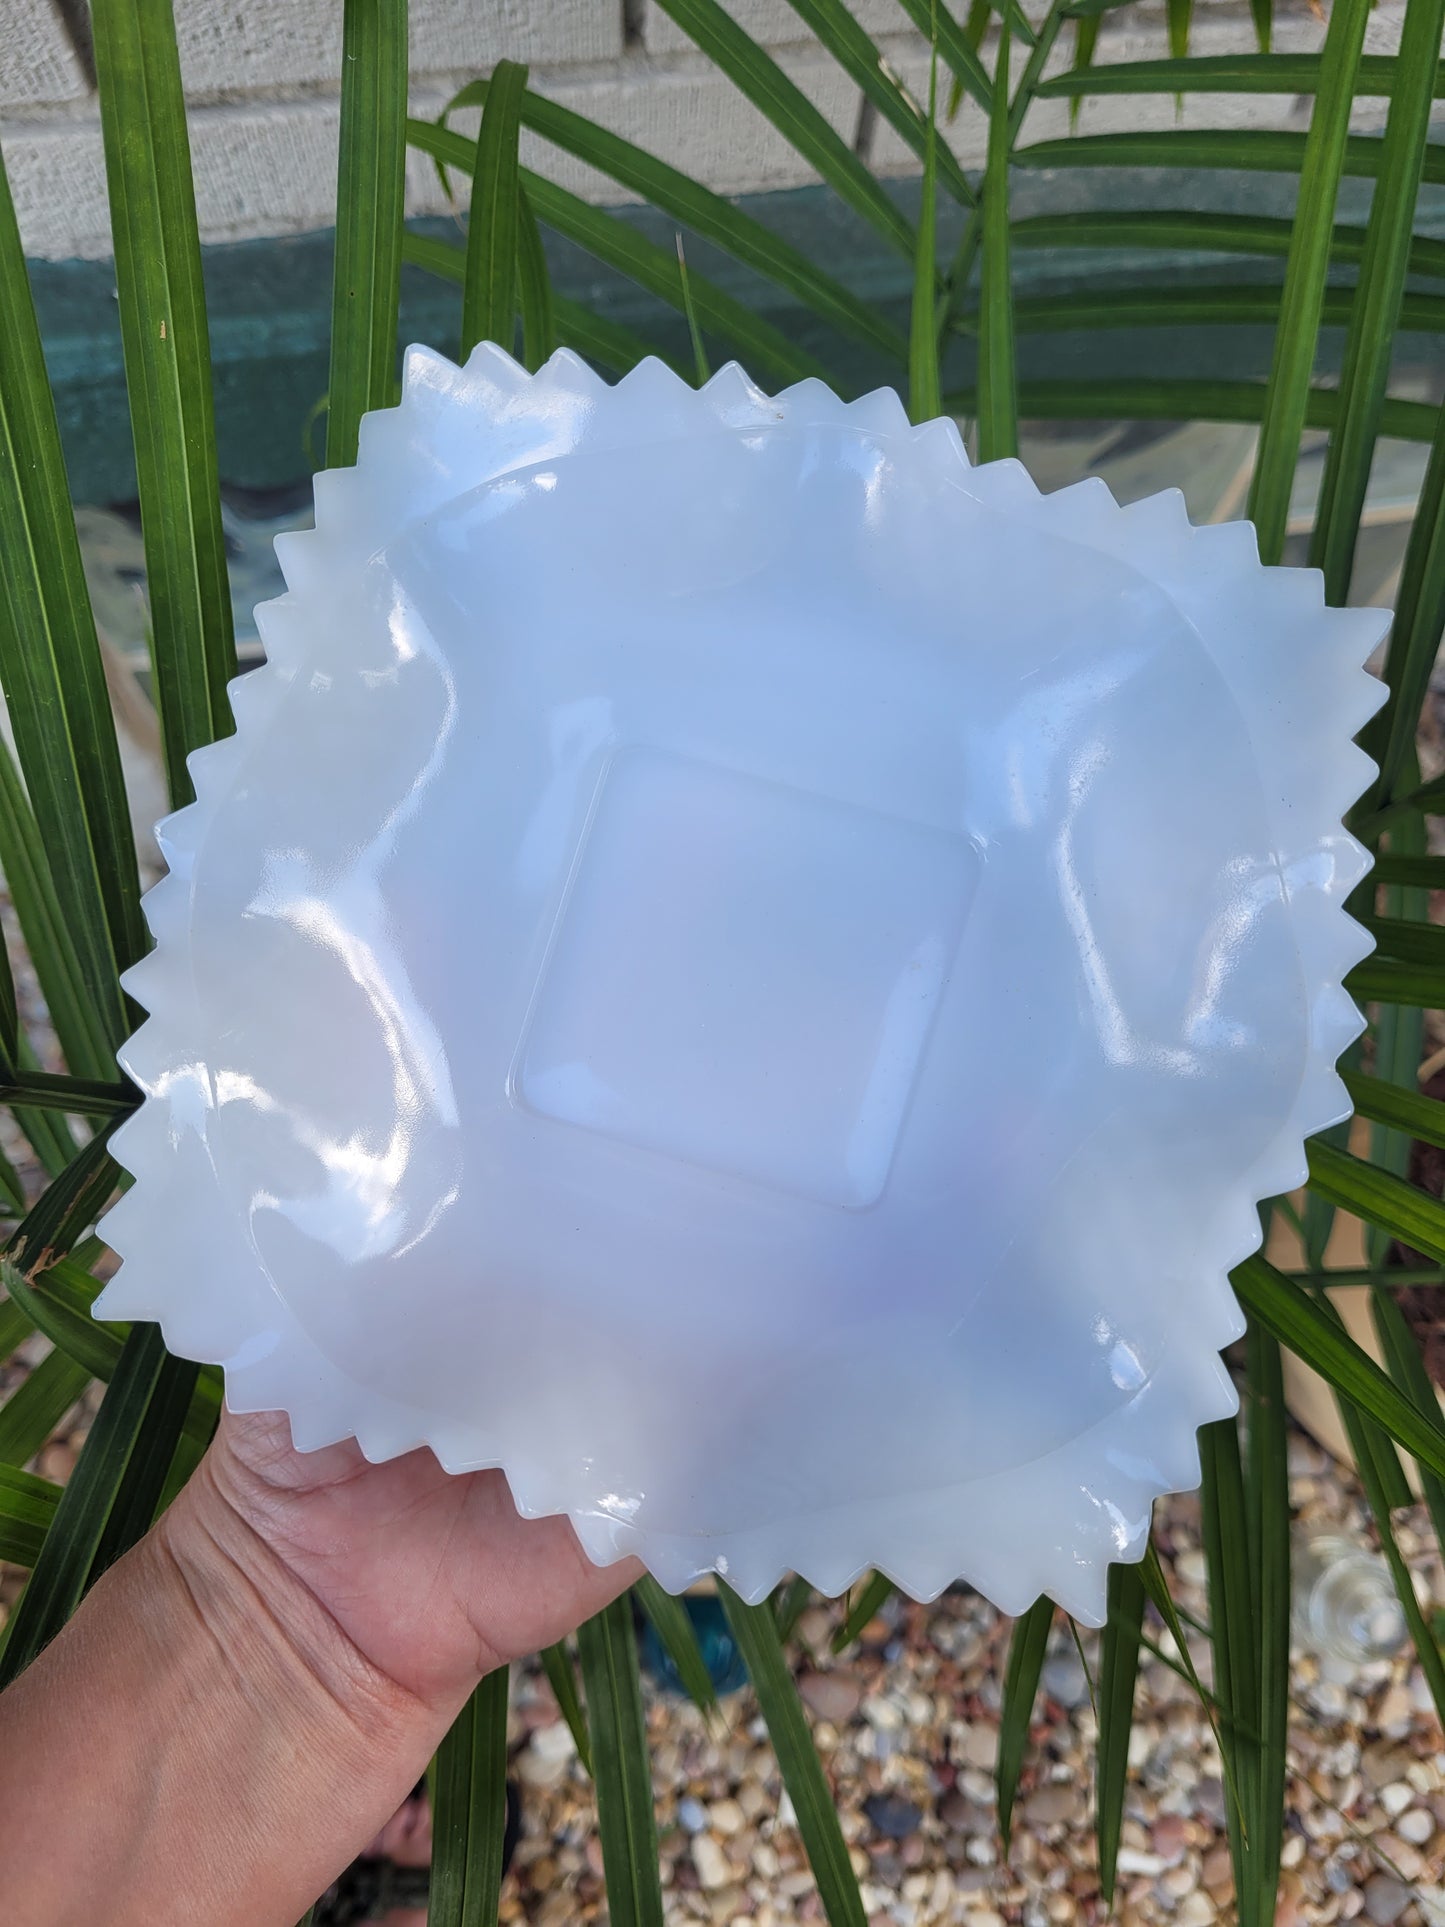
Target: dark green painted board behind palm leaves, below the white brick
(271,302)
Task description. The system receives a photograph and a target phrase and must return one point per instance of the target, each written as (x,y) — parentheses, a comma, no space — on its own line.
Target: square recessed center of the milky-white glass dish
(745,976)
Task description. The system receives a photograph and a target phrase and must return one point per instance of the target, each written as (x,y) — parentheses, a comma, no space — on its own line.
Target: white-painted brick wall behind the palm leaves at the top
(265,117)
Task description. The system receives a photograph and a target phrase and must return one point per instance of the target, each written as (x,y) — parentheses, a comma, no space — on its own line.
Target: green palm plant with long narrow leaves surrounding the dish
(66,841)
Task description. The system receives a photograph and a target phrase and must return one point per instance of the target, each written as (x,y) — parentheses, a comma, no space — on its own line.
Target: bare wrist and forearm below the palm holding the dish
(203,1741)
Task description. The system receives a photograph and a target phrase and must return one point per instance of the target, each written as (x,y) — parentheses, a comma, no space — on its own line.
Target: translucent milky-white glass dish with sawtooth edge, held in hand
(750,974)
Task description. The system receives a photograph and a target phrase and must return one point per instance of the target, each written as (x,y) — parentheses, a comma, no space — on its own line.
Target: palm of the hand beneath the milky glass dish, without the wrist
(433,1577)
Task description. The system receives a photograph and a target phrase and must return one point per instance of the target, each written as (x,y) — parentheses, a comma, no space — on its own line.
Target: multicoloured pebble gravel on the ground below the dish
(910,1745)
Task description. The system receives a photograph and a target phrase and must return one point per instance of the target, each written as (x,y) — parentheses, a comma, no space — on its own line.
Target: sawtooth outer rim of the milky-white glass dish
(1088,1502)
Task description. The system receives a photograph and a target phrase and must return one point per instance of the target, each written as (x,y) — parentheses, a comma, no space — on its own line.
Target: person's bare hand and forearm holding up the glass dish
(248,1697)
